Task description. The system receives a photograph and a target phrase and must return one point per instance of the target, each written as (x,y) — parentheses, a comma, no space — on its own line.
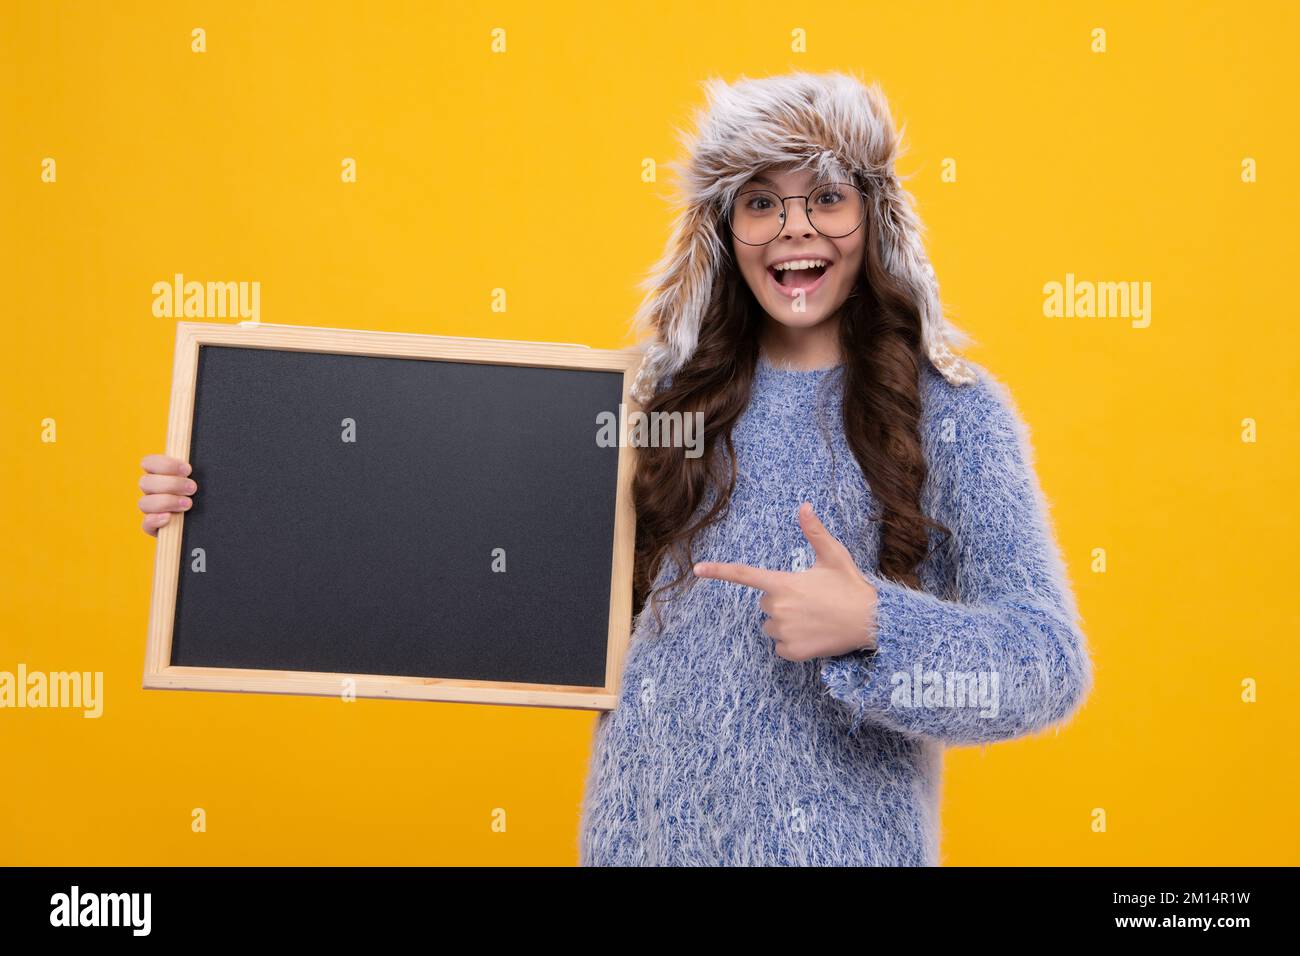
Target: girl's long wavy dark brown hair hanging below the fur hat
(882,349)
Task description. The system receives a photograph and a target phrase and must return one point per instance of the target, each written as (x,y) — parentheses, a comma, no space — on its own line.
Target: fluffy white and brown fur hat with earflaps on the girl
(830,123)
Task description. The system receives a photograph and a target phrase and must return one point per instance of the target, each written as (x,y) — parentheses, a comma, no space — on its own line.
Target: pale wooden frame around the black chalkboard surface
(161,674)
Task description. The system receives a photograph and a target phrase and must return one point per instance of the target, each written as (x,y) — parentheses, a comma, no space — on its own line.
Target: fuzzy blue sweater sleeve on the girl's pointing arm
(1008,659)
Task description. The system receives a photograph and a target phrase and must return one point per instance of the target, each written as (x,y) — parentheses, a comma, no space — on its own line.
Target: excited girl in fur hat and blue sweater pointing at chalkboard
(860,570)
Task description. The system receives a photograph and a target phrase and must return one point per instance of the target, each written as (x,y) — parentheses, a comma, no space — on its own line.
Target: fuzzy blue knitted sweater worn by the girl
(723,754)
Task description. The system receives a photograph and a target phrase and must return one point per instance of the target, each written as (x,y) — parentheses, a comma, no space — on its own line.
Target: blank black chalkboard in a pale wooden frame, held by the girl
(396,516)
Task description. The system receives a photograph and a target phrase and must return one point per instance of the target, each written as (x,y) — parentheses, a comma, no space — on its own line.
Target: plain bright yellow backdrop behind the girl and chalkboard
(523,171)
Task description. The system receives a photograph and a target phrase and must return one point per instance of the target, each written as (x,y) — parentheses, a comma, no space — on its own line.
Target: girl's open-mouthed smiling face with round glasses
(801,297)
